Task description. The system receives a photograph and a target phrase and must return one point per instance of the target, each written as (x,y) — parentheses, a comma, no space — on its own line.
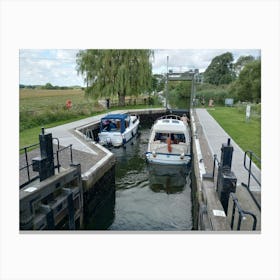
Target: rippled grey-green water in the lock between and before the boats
(149,198)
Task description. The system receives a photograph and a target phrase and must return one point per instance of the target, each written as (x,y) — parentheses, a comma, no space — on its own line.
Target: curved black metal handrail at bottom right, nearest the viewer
(242,214)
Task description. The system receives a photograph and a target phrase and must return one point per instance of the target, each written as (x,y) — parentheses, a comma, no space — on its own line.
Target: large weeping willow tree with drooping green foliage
(121,73)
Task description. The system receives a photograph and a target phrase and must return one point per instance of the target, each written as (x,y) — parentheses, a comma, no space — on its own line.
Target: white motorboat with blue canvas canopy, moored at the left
(118,129)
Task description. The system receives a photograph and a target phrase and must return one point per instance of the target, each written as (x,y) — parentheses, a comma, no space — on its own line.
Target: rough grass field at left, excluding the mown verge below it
(44,107)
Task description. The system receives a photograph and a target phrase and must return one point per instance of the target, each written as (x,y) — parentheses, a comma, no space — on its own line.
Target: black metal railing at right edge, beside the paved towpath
(251,174)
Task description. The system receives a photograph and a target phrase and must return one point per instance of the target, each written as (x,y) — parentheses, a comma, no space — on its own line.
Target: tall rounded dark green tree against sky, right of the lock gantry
(220,71)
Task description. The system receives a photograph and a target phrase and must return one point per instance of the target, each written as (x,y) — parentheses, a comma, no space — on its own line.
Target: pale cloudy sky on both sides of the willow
(58,66)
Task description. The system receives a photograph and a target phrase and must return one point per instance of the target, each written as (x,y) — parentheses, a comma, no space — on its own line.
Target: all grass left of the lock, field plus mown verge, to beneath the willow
(46,108)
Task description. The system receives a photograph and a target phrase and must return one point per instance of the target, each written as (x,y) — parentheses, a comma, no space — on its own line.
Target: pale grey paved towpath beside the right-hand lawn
(216,136)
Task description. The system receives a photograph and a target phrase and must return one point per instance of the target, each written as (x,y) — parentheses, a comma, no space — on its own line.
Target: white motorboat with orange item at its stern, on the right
(169,141)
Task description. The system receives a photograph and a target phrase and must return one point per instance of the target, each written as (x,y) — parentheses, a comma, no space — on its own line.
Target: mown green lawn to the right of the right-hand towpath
(247,134)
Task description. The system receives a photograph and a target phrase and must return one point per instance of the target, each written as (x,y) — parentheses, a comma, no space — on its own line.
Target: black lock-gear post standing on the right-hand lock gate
(226,182)
